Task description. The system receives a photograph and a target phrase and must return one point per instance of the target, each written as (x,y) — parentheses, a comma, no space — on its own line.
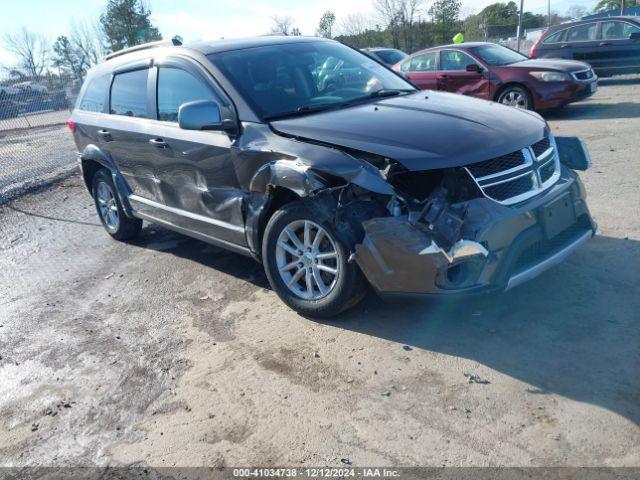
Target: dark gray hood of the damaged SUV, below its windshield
(423,131)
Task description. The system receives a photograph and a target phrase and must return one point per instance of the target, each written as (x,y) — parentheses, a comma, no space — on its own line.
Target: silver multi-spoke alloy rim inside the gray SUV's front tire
(307,260)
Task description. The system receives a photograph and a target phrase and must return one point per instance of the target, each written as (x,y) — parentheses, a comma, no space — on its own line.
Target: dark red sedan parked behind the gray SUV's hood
(494,72)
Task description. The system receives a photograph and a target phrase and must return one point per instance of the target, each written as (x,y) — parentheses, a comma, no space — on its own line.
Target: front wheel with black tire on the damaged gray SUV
(307,265)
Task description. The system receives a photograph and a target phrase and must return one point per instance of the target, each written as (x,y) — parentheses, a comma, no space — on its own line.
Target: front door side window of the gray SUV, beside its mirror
(176,87)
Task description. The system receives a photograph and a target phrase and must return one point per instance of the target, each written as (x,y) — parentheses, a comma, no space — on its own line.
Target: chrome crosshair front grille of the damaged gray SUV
(520,175)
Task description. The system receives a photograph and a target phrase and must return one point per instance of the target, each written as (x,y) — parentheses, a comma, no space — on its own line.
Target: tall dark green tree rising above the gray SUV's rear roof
(126,23)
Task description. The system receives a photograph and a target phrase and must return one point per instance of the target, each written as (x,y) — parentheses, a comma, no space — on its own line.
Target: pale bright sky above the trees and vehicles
(212,19)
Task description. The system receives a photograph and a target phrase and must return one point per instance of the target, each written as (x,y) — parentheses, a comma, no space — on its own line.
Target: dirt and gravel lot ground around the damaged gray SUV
(167,351)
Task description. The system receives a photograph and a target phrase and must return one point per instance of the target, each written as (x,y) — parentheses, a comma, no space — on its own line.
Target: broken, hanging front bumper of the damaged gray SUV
(500,247)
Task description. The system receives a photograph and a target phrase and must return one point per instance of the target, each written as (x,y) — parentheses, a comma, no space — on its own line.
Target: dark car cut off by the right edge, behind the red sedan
(610,45)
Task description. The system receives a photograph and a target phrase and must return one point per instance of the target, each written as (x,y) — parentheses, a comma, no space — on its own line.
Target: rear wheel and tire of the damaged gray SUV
(114,220)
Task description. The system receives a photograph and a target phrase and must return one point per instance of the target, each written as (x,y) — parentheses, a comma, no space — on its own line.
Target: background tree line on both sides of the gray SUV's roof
(405,24)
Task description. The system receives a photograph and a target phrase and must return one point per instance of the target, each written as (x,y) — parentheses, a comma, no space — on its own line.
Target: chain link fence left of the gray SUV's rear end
(35,144)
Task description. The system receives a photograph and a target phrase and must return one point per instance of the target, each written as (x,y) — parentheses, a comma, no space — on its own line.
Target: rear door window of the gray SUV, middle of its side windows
(129,94)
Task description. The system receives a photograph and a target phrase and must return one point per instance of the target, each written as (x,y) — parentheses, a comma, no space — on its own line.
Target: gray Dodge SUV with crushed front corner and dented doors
(329,168)
